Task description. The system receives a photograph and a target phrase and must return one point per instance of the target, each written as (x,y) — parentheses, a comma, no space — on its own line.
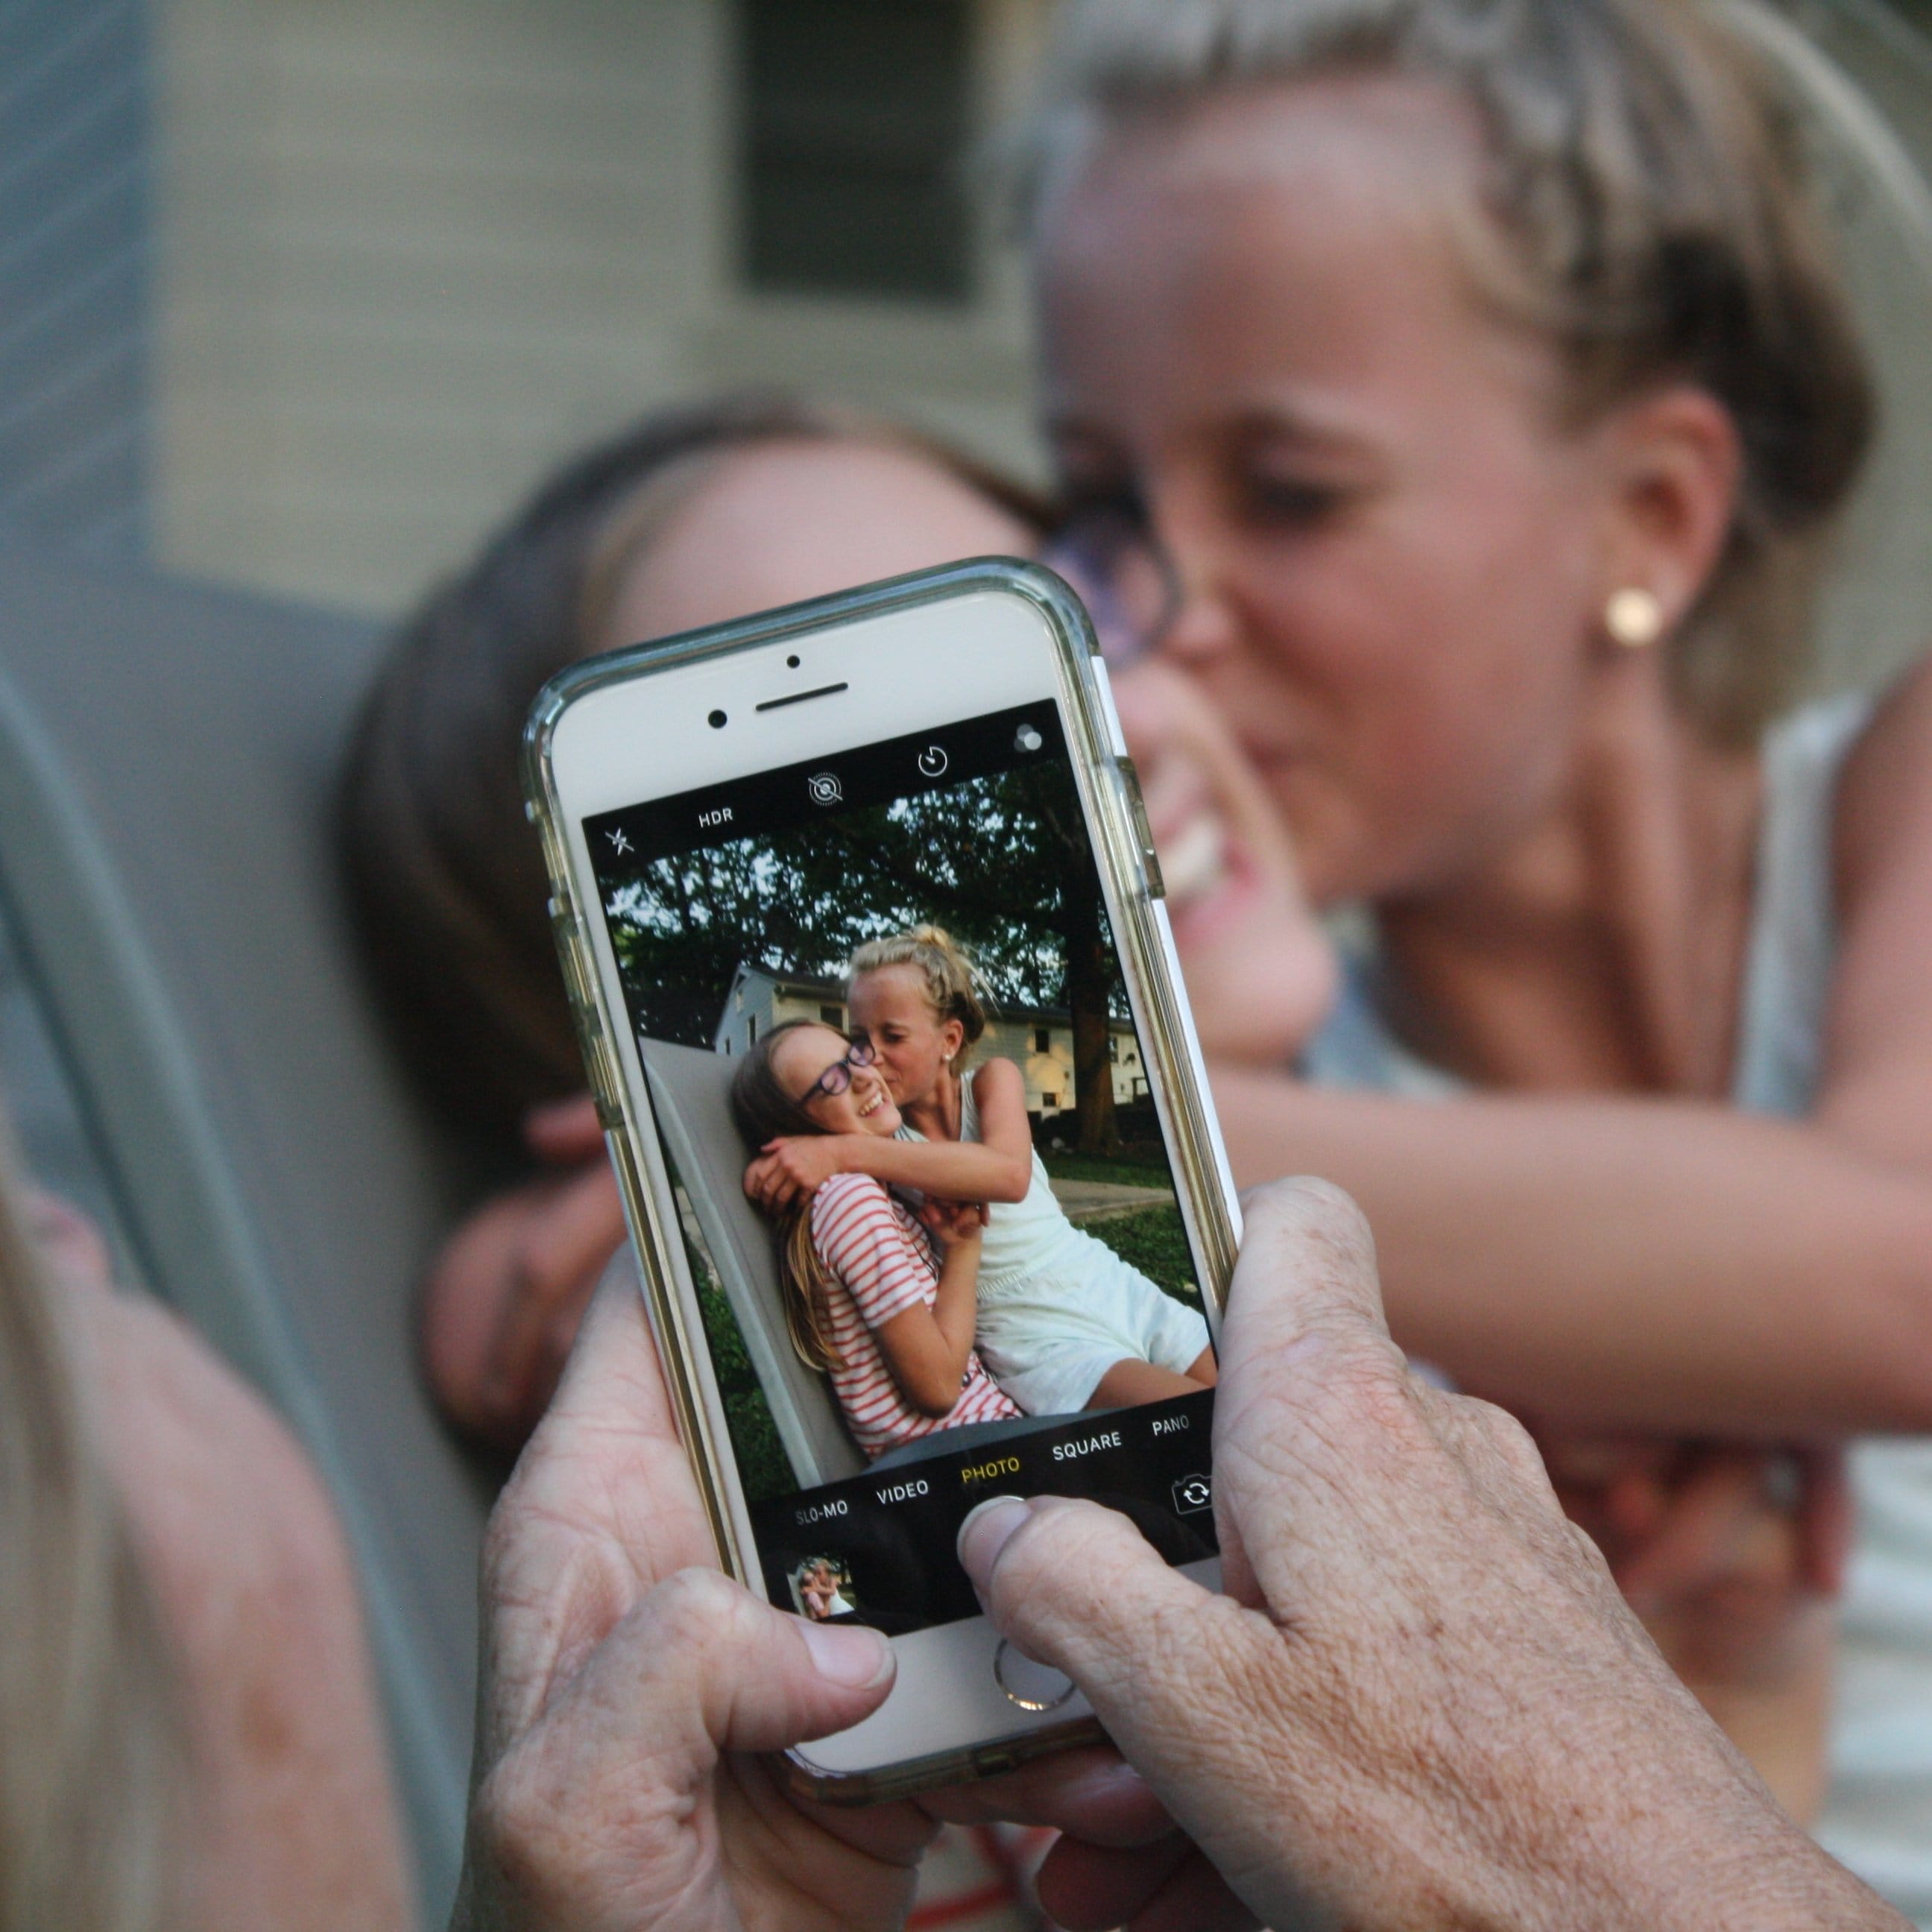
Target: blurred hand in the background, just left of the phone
(509,1290)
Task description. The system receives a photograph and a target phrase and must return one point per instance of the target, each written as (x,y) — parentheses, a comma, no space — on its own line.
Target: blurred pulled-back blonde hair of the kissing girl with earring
(1645,200)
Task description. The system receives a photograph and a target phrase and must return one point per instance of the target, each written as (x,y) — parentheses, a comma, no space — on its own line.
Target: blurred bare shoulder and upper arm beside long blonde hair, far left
(297,1819)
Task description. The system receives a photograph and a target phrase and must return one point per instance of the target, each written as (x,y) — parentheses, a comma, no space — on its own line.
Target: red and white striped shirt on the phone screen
(884,1264)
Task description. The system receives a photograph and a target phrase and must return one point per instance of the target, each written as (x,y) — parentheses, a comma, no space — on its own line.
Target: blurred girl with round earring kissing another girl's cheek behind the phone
(1485,416)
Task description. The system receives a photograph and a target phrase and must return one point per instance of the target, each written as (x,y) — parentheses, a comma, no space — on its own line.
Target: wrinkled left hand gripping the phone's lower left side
(627,1686)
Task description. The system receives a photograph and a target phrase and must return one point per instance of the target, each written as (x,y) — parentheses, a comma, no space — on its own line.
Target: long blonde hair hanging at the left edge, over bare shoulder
(90,1736)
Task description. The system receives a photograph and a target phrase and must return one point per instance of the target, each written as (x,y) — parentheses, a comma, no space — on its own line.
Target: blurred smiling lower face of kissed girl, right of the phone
(1261,969)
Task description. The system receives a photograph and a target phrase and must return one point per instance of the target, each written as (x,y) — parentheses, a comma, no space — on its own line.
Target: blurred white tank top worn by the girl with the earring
(1879,1807)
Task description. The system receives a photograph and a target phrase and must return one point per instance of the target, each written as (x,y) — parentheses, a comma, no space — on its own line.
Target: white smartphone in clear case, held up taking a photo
(868,880)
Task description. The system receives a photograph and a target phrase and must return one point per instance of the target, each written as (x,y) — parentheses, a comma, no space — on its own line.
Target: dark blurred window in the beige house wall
(855,121)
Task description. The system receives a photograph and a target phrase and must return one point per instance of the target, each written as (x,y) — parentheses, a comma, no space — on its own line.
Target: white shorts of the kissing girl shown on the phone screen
(1050,1334)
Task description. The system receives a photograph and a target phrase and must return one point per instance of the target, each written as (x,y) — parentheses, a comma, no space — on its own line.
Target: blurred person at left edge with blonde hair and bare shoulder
(188,1726)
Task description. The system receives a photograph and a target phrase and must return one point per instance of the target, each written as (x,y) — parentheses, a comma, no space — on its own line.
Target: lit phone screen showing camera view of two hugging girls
(735,915)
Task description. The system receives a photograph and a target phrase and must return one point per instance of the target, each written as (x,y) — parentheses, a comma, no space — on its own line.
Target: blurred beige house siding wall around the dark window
(414,252)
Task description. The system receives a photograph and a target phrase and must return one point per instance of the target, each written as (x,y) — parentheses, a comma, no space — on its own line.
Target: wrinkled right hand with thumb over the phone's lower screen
(1423,1701)
